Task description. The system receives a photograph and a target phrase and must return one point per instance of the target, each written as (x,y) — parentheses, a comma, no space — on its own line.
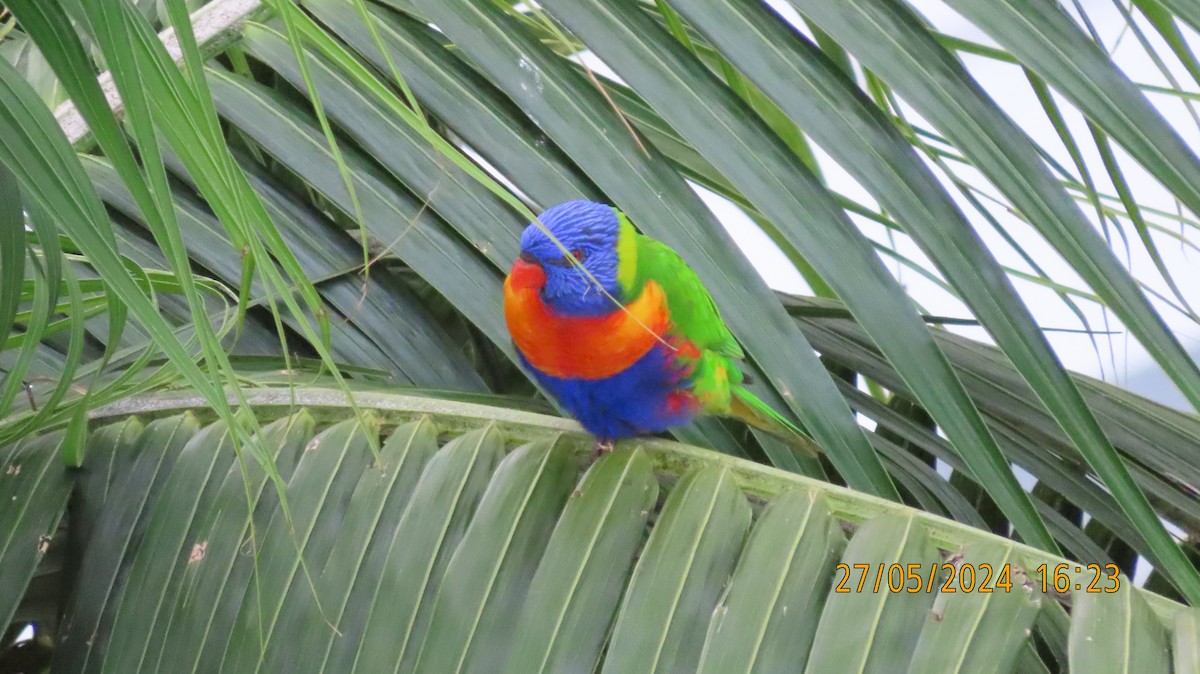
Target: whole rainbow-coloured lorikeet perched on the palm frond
(657,363)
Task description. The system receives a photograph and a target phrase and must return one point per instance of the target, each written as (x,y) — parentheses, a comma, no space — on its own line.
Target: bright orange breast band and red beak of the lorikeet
(581,347)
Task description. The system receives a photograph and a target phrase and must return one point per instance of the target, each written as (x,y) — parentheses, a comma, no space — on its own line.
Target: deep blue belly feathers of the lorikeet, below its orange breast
(635,402)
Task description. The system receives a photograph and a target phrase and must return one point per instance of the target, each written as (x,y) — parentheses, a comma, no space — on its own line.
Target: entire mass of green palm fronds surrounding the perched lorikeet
(260,411)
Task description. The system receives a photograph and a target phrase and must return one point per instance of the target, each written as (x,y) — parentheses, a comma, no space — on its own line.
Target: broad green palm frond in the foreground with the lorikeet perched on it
(481,547)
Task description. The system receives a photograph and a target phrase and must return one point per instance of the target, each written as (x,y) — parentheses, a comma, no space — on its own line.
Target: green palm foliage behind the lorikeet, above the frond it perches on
(333,191)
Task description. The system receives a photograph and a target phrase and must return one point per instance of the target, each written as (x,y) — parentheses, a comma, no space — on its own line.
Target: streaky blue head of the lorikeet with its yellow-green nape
(597,237)
